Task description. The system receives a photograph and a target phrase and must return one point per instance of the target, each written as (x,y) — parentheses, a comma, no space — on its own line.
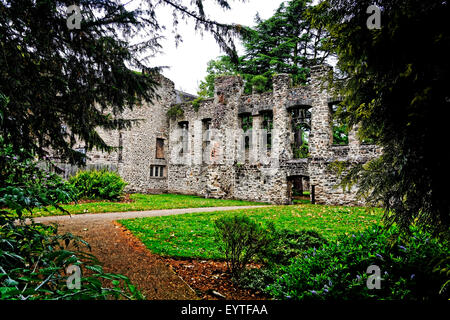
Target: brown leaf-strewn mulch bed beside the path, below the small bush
(209,277)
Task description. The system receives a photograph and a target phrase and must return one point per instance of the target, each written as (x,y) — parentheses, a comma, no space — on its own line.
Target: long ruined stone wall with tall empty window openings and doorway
(256,173)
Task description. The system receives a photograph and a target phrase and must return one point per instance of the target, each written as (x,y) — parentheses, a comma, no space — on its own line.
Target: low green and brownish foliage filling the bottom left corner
(34,259)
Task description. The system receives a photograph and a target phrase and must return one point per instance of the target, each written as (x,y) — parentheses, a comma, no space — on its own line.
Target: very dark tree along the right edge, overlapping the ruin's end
(395,87)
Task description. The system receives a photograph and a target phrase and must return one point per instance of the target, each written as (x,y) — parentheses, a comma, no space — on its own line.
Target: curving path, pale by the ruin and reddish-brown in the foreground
(120,252)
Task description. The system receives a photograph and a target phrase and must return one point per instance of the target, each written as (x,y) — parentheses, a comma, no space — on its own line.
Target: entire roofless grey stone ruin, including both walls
(236,146)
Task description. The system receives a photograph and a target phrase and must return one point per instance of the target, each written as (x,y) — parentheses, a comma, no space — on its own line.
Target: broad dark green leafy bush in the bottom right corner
(337,270)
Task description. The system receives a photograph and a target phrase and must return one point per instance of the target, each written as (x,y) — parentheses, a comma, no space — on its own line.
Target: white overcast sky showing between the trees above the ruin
(189,60)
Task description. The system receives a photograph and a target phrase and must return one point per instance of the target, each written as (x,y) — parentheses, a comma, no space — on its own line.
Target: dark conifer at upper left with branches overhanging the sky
(54,75)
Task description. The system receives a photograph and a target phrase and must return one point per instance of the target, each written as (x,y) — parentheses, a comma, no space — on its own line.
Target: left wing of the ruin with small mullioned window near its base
(137,146)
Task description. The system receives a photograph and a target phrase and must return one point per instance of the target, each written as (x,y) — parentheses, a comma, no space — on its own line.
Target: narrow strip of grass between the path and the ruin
(144,202)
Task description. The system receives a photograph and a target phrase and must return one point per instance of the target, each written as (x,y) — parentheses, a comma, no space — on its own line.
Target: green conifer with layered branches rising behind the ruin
(284,43)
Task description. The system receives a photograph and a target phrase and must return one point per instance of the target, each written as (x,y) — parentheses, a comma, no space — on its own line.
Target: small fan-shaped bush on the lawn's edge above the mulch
(240,240)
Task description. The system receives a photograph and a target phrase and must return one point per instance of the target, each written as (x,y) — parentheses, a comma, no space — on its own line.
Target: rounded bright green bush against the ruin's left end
(98,184)
